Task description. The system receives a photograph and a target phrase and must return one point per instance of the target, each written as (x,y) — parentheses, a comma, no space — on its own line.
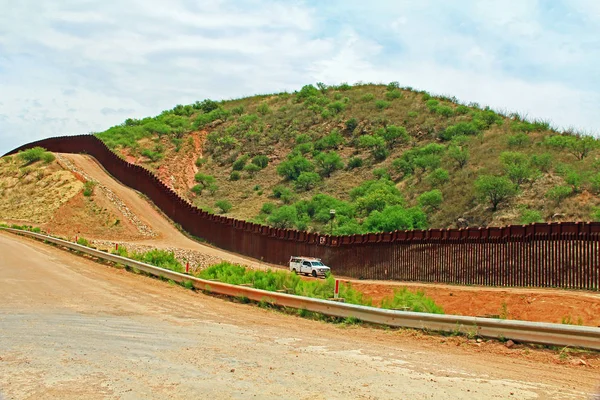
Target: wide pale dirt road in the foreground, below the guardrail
(72,329)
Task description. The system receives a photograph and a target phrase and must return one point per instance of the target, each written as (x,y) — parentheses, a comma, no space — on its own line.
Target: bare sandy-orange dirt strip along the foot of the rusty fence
(544,305)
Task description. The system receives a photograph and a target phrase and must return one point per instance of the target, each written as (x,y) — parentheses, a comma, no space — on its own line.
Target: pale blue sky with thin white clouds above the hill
(80,66)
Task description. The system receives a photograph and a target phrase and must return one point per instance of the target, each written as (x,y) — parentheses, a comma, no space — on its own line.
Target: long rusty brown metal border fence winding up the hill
(563,255)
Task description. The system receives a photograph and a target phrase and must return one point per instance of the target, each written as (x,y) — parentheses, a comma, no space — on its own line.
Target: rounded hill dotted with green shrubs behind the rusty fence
(381,156)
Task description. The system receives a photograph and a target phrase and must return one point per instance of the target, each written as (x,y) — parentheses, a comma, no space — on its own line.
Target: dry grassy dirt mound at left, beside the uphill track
(50,195)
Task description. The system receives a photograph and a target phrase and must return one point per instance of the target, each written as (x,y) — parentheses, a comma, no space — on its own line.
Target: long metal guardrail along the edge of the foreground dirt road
(522,331)
